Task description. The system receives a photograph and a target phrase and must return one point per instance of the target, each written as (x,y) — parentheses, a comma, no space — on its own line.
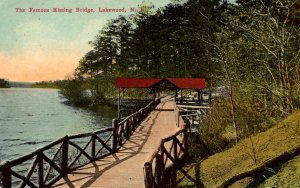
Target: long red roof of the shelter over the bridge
(181,83)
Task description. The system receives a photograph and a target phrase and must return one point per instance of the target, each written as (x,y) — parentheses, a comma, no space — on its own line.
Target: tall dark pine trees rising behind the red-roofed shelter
(148,44)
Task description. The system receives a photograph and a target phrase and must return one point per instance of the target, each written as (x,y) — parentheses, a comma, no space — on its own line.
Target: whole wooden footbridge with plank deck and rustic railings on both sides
(133,153)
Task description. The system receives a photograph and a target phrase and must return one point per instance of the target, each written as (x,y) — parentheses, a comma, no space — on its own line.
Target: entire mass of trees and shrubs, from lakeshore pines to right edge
(250,47)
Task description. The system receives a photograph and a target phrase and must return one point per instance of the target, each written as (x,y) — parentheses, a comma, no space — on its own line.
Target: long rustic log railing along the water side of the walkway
(45,166)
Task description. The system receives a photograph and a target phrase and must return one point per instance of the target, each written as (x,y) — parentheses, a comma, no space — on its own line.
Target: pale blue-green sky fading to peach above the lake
(41,46)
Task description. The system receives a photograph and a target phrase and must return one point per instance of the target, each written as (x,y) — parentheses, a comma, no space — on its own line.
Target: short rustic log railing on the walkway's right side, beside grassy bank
(169,153)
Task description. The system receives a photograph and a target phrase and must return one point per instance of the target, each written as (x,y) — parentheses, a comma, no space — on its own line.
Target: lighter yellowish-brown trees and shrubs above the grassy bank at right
(257,50)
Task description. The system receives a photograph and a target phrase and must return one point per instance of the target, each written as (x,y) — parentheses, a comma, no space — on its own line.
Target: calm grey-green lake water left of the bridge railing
(31,118)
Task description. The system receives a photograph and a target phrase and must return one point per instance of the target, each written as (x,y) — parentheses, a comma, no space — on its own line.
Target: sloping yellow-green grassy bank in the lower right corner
(248,155)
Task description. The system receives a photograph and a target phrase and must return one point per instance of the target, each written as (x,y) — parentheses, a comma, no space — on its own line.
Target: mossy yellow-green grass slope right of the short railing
(278,141)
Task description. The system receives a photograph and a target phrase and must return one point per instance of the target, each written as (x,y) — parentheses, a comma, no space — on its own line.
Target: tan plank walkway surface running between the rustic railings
(125,168)
